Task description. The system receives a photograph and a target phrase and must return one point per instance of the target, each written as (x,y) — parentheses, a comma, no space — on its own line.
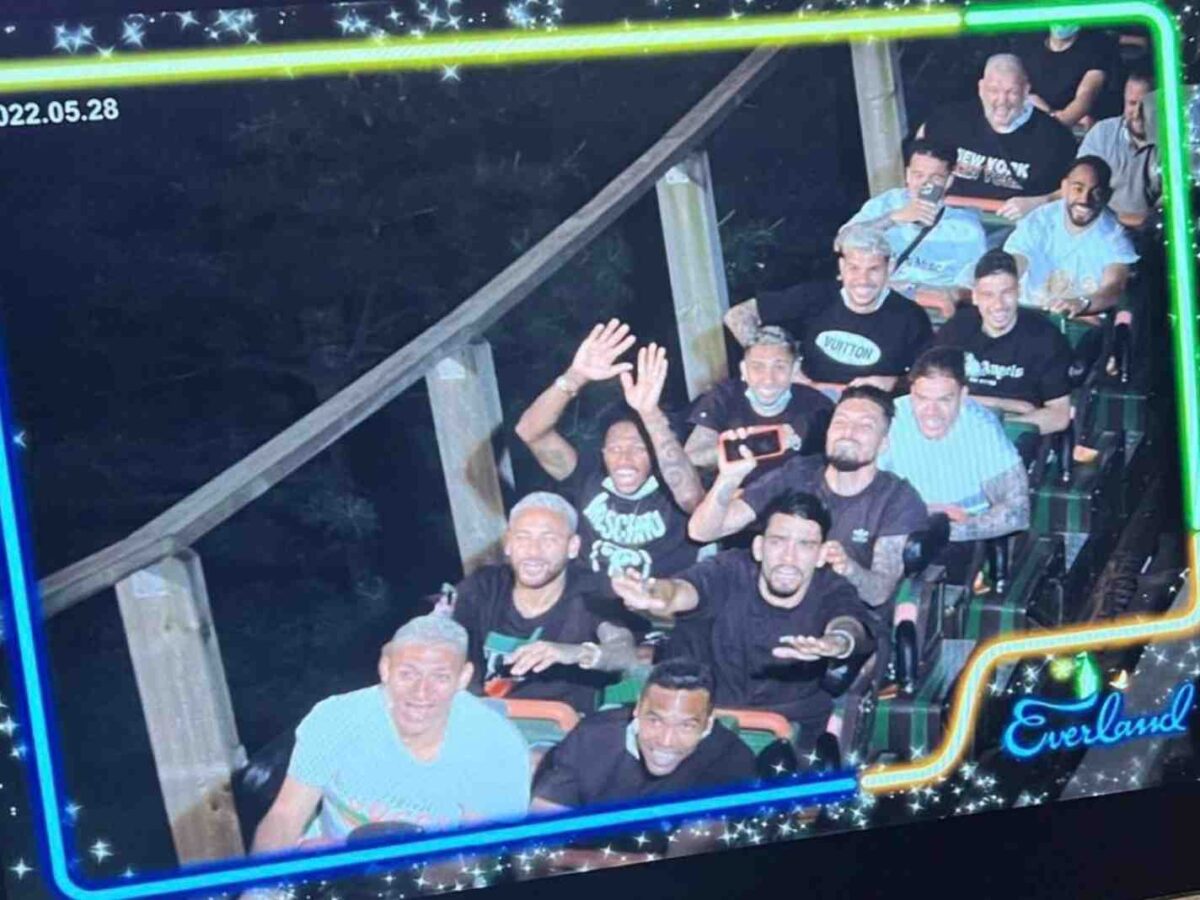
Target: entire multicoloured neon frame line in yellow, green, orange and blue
(23,604)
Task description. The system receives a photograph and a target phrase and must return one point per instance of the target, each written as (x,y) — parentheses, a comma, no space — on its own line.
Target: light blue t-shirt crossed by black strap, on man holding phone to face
(949,254)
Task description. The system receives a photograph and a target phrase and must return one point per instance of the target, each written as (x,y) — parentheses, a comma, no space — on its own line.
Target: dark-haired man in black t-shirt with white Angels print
(1017,362)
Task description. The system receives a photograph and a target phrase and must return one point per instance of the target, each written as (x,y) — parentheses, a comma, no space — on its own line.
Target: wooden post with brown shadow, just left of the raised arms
(466,403)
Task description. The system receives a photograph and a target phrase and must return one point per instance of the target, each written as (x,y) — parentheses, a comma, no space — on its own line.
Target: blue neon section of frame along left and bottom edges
(33,679)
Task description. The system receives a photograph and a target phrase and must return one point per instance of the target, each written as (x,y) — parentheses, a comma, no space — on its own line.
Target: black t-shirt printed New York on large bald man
(1028,163)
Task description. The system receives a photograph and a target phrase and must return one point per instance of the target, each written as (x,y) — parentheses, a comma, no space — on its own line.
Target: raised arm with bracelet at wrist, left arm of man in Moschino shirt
(596,361)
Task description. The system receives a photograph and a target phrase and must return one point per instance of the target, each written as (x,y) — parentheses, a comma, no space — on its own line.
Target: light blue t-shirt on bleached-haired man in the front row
(349,747)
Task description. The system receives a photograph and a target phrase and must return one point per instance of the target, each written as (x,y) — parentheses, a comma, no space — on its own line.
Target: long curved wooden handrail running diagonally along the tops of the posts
(251,477)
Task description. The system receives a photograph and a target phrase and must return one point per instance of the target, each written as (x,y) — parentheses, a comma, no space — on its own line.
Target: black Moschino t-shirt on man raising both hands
(647,532)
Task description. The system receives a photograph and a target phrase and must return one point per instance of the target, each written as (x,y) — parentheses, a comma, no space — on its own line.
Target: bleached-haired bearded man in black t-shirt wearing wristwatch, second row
(541,627)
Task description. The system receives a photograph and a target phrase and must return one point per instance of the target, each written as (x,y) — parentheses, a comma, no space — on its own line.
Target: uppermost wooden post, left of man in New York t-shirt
(881,113)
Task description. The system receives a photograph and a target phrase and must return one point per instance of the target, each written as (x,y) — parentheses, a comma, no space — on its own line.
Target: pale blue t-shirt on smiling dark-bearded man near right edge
(1063,263)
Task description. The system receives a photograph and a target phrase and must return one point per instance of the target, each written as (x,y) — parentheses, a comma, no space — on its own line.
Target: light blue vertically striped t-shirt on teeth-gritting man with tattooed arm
(952,471)
